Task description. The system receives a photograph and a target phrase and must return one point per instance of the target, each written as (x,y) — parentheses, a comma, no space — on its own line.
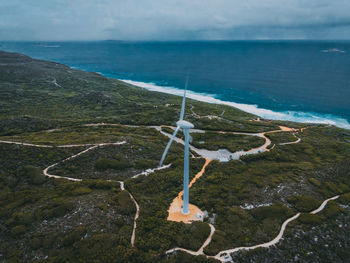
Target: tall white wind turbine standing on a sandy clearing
(184,126)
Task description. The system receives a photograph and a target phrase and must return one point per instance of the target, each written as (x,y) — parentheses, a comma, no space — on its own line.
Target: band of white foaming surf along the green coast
(294,116)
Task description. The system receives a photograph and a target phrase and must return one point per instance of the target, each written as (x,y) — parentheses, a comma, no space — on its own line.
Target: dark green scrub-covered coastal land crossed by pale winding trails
(80,182)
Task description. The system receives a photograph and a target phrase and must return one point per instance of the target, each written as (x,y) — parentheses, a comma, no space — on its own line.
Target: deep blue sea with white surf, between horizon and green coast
(290,80)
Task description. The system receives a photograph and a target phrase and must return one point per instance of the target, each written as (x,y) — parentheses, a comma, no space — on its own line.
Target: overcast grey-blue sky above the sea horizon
(64,20)
